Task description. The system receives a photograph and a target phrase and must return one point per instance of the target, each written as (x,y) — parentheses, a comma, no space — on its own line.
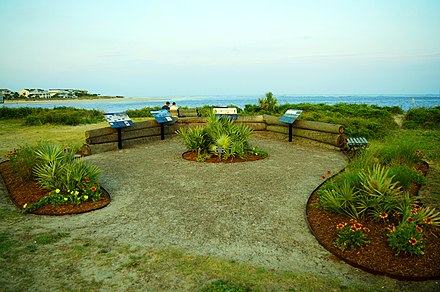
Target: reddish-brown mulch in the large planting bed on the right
(376,257)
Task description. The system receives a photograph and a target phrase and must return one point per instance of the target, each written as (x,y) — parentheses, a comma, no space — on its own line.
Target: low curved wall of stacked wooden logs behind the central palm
(106,139)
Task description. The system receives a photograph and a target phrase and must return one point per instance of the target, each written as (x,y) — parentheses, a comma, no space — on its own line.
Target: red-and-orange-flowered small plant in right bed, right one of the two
(407,237)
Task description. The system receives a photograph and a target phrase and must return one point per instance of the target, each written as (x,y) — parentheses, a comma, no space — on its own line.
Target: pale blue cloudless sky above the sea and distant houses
(201,47)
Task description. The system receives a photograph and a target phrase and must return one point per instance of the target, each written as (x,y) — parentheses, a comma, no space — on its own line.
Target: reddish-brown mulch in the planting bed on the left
(28,192)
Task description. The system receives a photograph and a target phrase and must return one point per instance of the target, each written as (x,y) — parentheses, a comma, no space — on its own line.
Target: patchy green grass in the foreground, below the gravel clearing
(68,263)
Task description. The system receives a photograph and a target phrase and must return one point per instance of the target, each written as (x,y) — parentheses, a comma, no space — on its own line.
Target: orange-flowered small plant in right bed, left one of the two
(351,235)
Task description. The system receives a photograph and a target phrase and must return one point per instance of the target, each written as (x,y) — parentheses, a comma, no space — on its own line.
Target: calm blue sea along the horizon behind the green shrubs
(118,105)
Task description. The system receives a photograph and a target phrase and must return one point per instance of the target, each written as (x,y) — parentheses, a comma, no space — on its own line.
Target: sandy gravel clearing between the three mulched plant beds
(252,212)
